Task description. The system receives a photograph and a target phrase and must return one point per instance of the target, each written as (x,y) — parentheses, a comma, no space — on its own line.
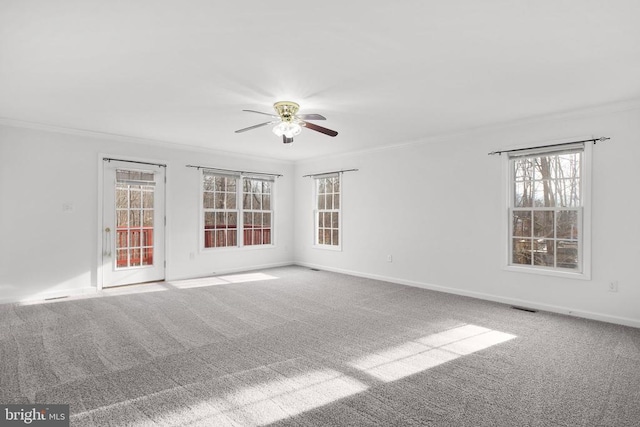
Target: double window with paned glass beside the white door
(228,223)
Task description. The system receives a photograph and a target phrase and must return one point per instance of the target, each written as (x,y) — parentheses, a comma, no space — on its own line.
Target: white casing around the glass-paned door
(100,212)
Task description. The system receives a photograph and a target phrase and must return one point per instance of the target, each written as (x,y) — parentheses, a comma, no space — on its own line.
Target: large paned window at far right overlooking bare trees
(547,210)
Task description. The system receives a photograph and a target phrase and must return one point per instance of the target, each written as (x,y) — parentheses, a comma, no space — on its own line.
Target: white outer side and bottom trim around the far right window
(585,273)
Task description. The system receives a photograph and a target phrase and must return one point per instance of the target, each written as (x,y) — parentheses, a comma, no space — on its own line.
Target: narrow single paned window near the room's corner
(327,215)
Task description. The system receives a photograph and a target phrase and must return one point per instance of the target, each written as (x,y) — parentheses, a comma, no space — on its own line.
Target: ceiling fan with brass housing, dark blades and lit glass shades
(288,123)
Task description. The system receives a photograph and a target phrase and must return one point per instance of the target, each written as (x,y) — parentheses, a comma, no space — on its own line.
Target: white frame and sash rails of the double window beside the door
(240,211)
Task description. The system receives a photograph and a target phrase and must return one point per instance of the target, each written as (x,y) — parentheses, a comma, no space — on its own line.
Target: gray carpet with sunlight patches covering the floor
(291,346)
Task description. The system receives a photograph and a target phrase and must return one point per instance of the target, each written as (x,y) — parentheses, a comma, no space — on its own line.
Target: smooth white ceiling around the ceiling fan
(383,73)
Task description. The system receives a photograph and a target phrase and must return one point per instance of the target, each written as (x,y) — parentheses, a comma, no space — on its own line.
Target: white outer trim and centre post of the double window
(240,228)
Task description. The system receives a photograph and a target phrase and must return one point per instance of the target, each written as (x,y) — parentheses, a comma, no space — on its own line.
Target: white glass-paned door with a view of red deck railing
(133,223)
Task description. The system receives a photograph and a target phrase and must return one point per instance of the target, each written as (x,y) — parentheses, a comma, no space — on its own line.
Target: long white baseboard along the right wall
(484,296)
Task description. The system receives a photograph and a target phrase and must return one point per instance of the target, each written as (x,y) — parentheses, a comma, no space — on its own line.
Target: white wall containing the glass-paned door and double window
(46,252)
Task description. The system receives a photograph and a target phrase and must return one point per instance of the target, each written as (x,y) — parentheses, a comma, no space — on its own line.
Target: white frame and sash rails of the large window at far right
(584,217)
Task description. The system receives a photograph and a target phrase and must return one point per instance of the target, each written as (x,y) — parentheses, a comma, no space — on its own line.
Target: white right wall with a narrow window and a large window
(436,206)
